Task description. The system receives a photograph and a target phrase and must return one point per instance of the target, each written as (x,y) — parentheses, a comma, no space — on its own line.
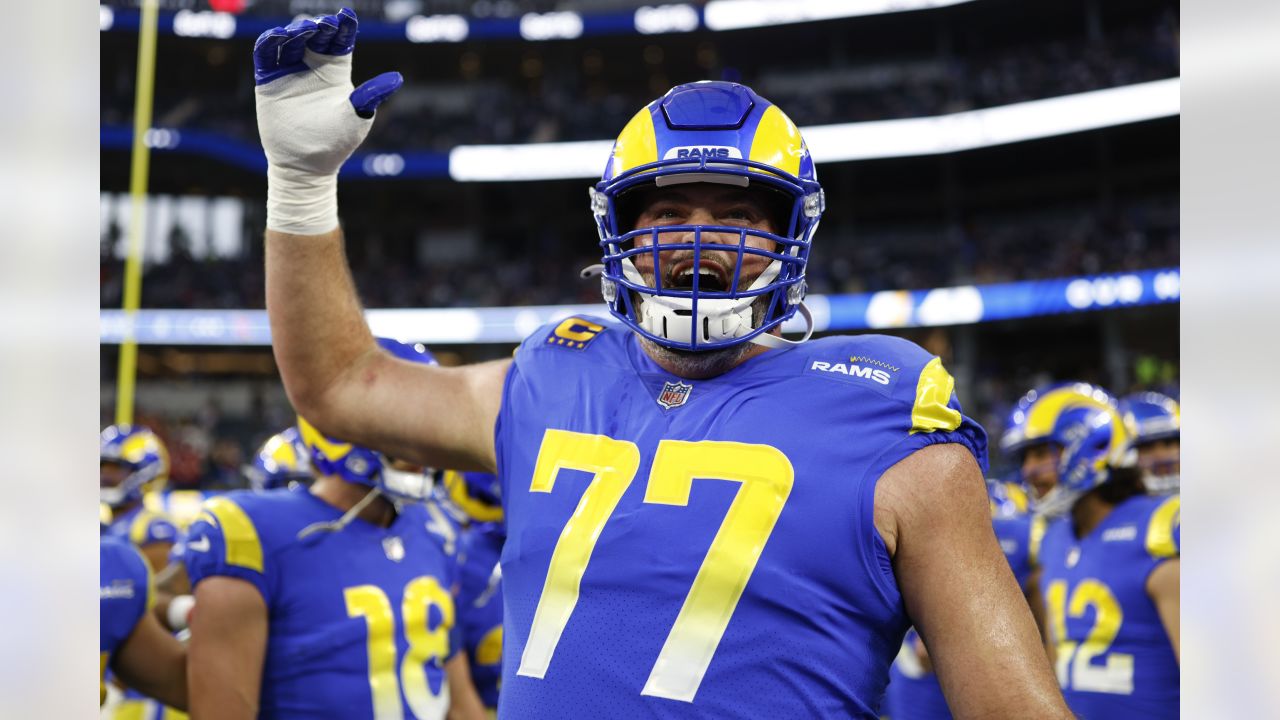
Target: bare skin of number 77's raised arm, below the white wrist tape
(341,382)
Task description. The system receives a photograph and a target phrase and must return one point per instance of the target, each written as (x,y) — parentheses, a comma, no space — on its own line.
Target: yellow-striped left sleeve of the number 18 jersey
(225,541)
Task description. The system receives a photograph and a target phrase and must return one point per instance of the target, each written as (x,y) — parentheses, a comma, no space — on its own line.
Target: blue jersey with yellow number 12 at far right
(1114,657)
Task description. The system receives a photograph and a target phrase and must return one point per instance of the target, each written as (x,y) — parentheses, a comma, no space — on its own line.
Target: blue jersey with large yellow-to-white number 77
(706,549)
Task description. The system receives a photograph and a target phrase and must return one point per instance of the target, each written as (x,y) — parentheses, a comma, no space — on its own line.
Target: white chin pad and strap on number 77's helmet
(671,318)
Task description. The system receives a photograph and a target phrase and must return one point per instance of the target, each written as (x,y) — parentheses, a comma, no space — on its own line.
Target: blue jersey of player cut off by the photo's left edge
(125,596)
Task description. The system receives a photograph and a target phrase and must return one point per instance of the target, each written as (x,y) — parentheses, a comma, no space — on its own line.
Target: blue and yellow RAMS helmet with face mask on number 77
(708,133)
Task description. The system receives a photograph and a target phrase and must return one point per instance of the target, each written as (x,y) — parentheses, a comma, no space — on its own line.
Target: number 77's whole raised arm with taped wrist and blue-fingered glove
(312,120)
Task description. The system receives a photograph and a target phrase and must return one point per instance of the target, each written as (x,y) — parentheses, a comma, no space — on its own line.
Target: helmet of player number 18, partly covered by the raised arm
(365,467)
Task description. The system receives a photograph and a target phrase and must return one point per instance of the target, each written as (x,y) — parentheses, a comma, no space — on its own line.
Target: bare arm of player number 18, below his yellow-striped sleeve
(227,650)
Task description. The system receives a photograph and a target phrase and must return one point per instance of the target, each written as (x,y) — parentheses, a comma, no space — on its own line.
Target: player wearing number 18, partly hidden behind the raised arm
(331,601)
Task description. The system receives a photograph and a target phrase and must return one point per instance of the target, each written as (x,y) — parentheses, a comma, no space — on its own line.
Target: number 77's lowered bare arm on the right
(934,513)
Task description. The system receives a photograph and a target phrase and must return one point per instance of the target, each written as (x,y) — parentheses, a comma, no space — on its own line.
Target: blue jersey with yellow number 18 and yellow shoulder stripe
(360,619)
